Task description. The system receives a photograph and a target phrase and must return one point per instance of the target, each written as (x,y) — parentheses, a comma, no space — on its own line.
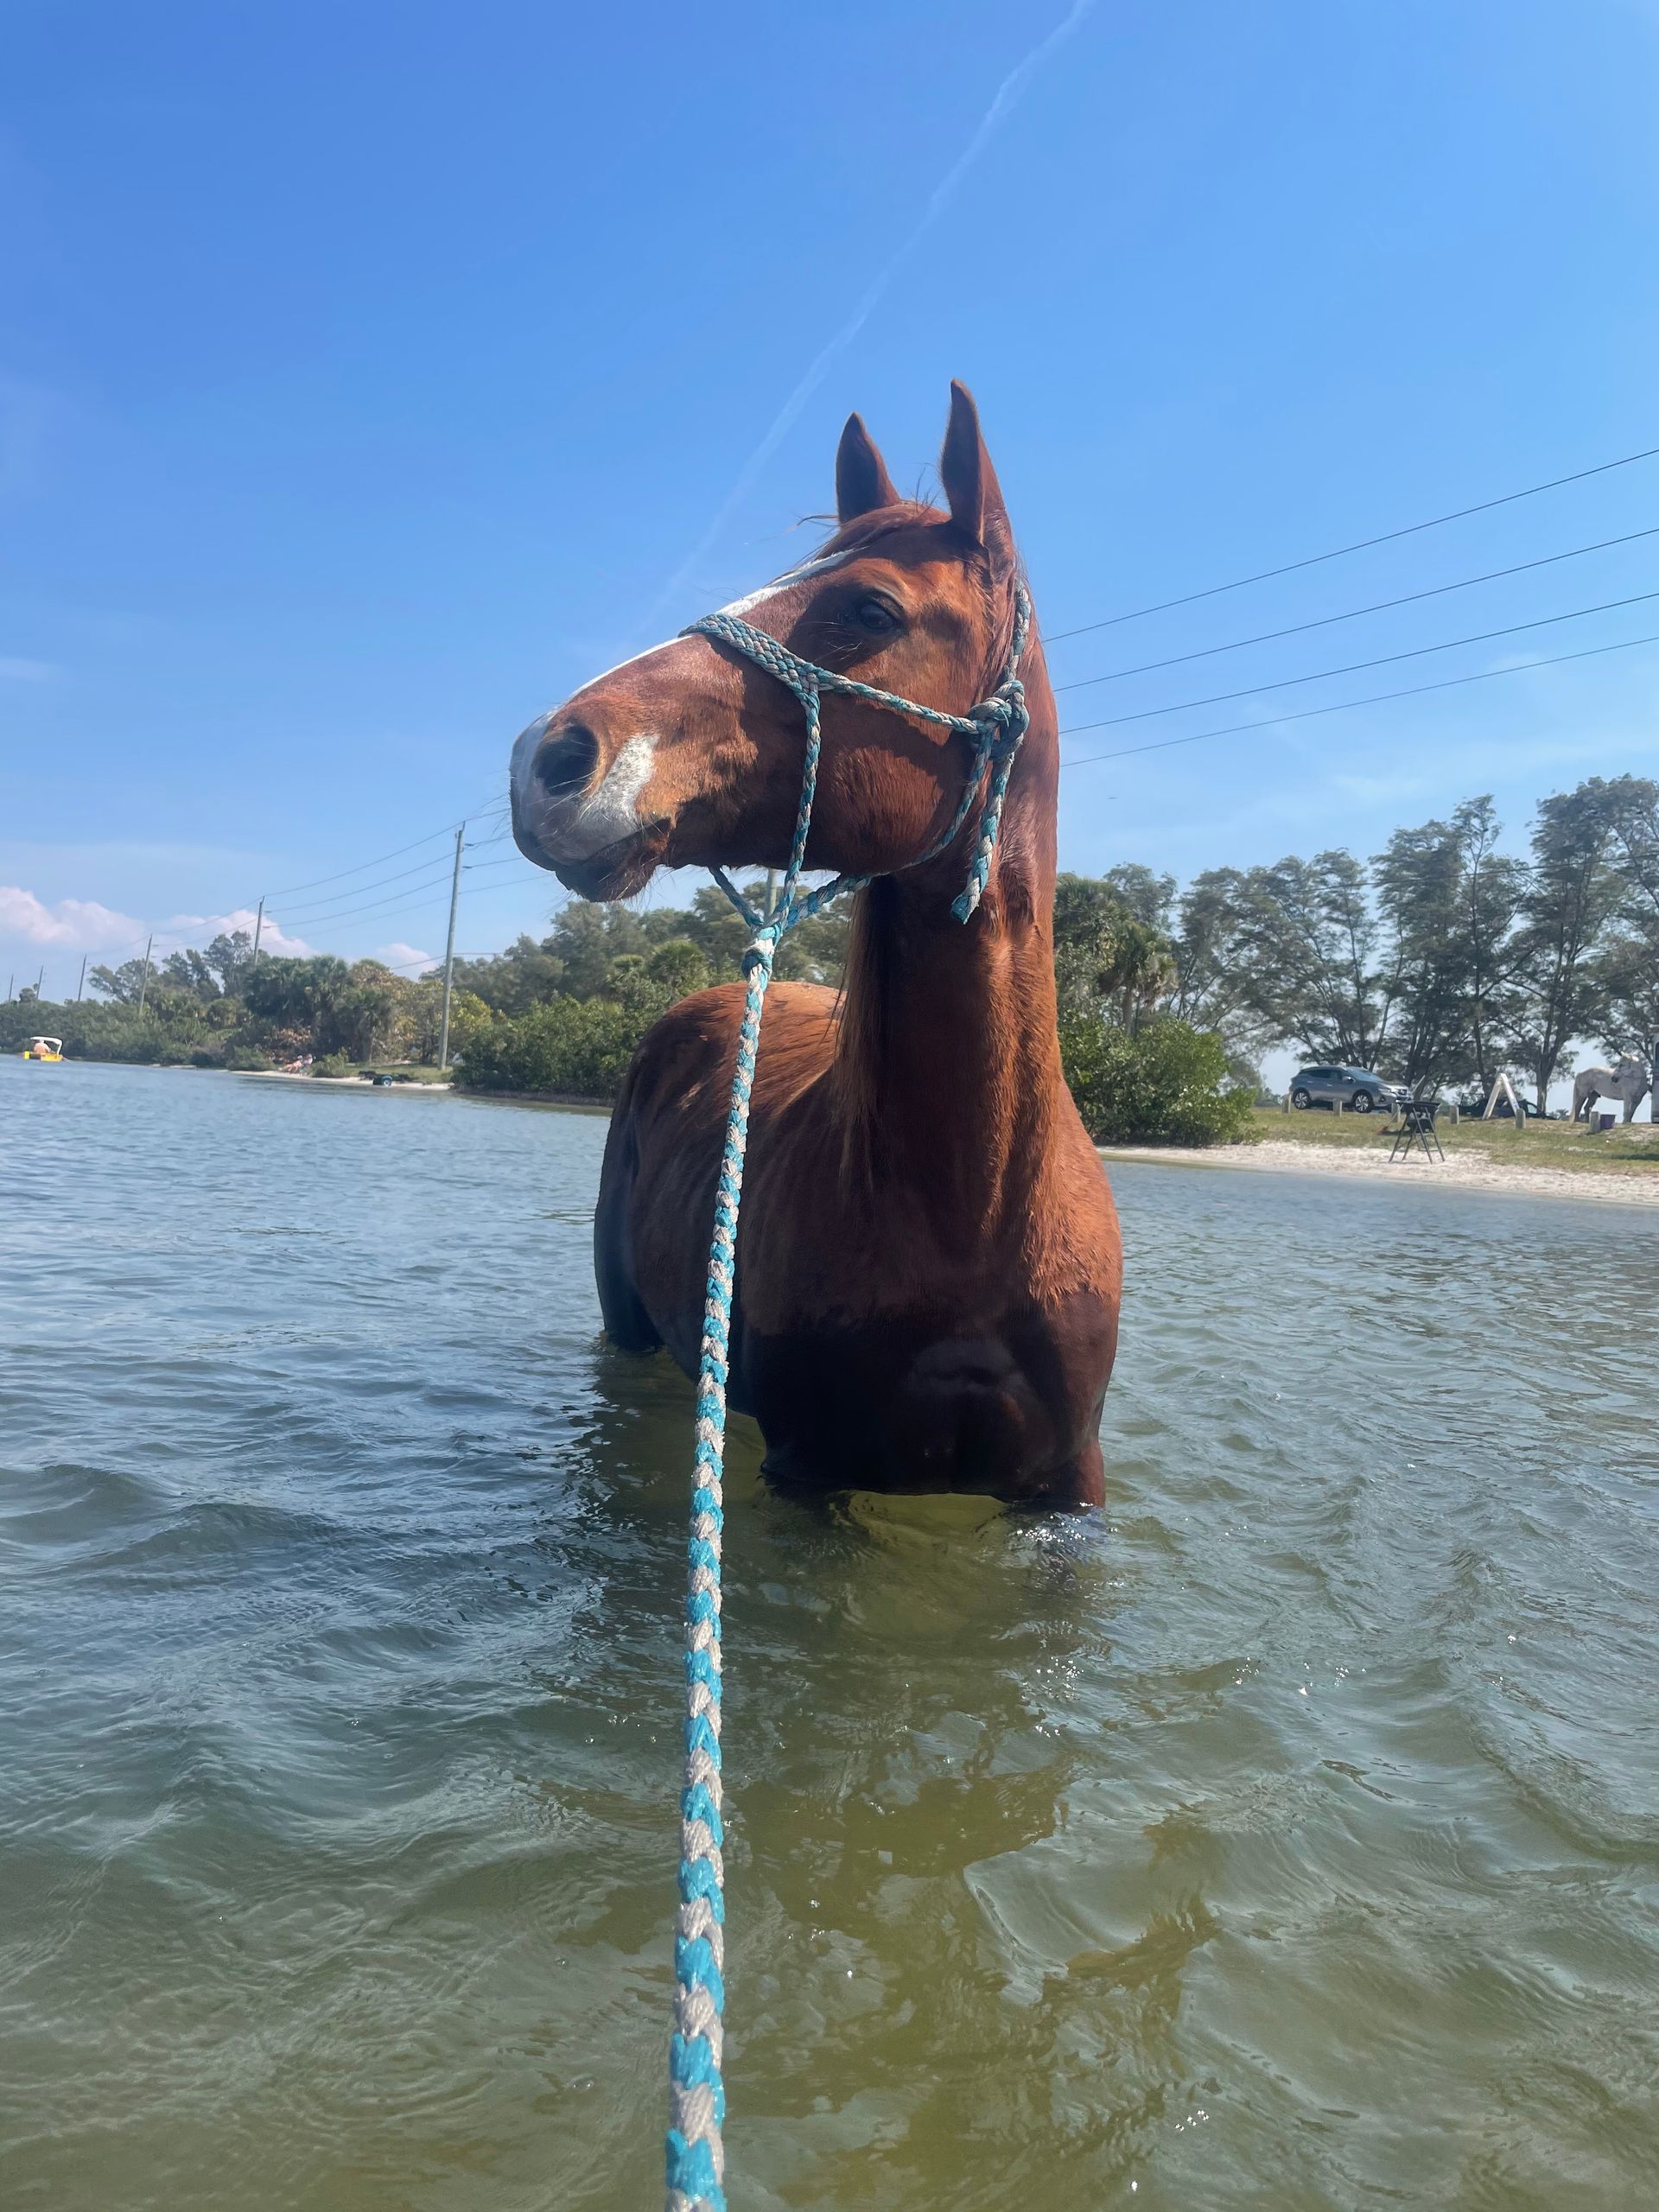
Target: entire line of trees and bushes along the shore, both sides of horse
(1439,961)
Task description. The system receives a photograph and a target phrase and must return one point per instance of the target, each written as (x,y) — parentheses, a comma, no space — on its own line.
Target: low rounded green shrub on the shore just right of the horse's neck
(1156,1085)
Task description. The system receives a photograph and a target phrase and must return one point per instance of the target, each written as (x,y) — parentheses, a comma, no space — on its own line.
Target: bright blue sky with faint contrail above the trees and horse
(373,375)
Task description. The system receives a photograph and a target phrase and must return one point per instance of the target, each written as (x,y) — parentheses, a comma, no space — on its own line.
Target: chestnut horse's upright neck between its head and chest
(948,1065)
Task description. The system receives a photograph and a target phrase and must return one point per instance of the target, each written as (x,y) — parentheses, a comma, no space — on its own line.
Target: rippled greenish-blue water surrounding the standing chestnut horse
(1284,1837)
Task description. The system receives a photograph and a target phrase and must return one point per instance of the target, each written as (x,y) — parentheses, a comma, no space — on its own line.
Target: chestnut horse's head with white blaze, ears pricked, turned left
(691,755)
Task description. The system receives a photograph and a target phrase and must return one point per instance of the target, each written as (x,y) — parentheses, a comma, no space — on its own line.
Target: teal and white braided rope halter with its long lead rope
(997,729)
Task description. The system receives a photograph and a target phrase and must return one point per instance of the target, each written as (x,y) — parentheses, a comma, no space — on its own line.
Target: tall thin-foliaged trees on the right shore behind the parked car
(1441,961)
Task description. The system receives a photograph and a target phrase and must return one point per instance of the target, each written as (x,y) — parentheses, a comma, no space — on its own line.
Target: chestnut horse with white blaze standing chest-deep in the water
(928,1258)
